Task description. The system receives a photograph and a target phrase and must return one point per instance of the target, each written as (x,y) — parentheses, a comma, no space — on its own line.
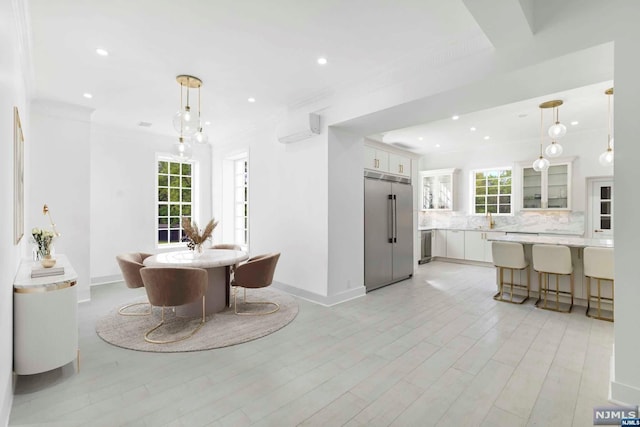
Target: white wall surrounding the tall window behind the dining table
(123,185)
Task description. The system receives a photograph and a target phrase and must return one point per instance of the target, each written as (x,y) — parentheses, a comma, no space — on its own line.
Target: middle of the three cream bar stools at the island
(552,259)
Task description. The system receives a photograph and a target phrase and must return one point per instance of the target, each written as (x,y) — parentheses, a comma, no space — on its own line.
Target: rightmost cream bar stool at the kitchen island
(598,264)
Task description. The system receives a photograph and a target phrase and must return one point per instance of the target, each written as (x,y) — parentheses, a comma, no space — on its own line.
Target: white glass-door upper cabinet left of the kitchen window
(437,189)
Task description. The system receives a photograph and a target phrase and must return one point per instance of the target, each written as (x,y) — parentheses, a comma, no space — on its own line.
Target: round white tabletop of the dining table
(210,258)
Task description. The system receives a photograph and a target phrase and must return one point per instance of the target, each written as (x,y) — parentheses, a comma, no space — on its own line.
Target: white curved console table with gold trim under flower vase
(45,319)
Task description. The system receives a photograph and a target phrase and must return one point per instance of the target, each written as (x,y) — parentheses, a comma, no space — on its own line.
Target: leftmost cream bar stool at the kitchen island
(510,256)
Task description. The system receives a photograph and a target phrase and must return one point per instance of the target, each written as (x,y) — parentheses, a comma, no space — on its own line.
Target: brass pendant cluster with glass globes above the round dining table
(187,122)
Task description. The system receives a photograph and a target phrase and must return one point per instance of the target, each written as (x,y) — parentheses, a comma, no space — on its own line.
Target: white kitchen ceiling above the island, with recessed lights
(509,123)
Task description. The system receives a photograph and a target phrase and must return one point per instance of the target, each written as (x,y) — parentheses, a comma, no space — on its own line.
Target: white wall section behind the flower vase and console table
(59,176)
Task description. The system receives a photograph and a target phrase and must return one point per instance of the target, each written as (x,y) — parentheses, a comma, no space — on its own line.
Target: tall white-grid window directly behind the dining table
(175,198)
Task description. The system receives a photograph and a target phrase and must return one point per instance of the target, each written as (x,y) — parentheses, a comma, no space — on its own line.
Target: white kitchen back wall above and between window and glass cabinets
(585,147)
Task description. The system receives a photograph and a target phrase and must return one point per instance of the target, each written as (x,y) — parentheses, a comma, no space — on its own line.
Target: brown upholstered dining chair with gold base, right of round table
(257,272)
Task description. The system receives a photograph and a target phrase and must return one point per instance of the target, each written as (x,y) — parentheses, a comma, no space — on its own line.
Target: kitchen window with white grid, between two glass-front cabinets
(492,191)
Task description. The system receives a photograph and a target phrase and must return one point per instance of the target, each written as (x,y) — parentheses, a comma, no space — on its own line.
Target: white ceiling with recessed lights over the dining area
(266,50)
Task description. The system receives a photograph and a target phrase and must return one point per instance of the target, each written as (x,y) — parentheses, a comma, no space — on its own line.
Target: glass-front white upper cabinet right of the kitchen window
(550,189)
